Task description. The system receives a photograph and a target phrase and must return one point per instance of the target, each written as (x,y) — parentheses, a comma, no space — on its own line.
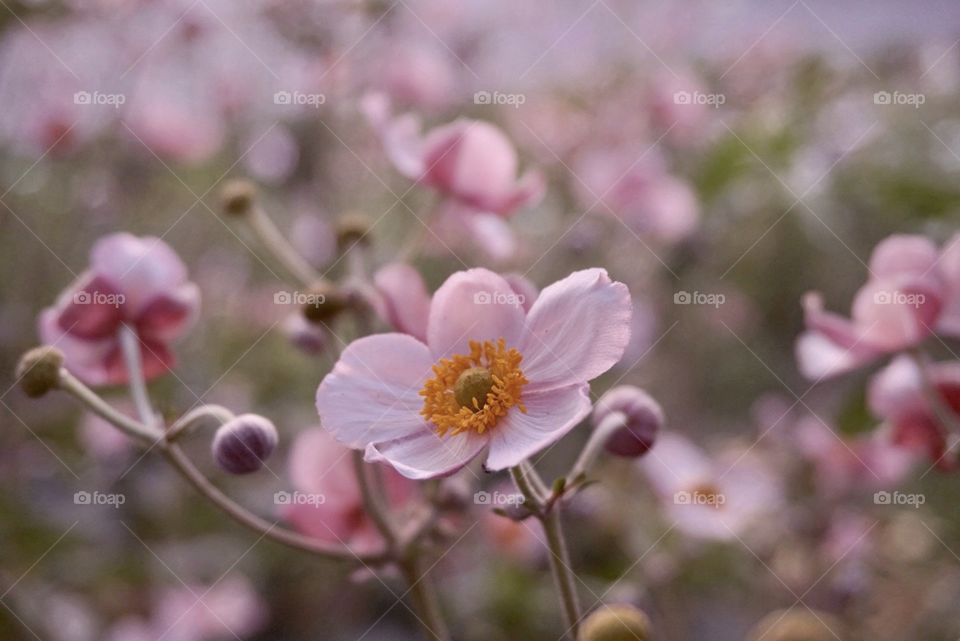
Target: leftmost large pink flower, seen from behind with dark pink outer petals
(132,281)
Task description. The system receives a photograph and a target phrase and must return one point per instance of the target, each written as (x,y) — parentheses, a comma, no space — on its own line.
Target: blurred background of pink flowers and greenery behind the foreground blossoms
(720,159)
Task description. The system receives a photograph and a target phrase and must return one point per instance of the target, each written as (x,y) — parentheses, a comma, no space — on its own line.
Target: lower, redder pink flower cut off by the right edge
(897,395)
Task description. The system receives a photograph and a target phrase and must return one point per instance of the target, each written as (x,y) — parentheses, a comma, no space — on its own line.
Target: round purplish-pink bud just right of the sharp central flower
(644,419)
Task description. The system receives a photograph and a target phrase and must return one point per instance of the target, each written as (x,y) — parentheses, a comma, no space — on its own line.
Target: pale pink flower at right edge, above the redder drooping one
(913,291)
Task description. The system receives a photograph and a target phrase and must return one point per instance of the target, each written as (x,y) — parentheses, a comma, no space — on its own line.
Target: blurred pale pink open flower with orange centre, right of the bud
(705,498)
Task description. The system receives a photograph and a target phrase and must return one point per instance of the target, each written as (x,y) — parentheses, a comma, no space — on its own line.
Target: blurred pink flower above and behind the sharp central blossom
(471,163)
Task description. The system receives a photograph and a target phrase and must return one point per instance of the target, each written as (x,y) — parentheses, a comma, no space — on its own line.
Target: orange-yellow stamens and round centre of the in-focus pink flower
(451,399)
